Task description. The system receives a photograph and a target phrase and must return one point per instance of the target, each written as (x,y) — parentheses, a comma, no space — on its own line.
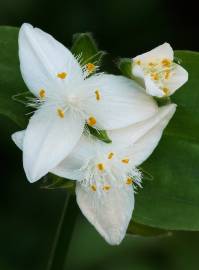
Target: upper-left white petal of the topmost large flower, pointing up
(42,58)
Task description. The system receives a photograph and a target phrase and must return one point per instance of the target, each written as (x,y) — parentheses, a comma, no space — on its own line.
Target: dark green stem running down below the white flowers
(64,234)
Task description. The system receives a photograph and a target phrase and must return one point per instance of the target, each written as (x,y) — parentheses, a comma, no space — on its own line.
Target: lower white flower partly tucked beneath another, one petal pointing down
(105,172)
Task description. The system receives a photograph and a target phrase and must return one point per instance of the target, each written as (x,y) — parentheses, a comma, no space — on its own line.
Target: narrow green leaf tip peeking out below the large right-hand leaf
(143,230)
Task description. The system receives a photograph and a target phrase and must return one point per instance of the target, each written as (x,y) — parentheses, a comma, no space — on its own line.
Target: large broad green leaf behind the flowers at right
(171,200)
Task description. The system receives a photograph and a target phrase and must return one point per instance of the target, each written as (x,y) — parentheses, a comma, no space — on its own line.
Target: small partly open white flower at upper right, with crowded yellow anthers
(161,76)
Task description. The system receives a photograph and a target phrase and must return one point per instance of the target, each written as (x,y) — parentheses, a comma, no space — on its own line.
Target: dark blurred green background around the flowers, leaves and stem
(28,214)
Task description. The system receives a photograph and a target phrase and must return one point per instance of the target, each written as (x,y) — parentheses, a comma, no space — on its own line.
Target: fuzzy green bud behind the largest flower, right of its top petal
(85,47)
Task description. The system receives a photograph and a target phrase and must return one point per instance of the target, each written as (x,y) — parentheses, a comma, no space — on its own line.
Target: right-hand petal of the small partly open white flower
(177,79)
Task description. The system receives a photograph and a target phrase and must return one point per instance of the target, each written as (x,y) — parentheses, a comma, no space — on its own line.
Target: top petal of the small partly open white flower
(160,52)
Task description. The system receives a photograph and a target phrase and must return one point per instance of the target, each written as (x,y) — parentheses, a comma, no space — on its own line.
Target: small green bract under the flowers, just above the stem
(52,181)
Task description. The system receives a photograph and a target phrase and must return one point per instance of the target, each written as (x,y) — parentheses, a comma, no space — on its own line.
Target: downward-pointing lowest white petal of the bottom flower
(109,213)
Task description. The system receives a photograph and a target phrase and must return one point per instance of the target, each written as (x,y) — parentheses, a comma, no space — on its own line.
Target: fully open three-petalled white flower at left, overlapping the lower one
(66,99)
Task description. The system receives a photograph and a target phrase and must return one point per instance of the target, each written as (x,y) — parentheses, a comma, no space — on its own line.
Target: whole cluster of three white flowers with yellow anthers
(69,97)
